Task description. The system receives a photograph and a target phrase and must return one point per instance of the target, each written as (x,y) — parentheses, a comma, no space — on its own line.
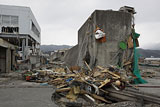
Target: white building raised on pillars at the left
(19,27)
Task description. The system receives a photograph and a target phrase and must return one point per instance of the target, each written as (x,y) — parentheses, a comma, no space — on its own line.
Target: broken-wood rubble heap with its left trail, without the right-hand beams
(82,86)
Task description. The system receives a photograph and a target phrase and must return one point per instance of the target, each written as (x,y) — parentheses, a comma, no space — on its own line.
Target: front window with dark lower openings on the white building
(9,24)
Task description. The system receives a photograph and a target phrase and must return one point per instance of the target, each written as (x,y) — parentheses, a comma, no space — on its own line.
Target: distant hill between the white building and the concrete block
(50,48)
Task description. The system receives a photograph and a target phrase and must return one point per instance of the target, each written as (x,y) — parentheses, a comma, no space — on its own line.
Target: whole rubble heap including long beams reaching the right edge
(82,86)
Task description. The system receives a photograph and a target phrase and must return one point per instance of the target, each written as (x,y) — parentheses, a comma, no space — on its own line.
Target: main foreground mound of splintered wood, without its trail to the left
(89,85)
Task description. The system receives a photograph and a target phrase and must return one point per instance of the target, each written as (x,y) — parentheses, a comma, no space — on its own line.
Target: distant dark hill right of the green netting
(146,53)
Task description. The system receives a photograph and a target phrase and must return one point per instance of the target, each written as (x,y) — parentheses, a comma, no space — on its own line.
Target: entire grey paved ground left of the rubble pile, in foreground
(19,93)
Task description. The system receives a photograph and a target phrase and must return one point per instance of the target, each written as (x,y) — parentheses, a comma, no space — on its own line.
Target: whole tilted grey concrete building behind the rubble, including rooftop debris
(117,27)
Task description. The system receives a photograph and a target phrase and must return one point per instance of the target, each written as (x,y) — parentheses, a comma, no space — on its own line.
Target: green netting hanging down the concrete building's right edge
(136,71)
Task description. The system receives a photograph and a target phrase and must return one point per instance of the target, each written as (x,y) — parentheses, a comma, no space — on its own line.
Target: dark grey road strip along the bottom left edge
(26,97)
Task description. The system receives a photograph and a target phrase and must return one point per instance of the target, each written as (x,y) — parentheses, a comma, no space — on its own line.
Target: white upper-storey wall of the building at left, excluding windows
(25,16)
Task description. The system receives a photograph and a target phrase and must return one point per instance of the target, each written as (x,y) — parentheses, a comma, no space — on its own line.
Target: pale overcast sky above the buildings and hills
(60,19)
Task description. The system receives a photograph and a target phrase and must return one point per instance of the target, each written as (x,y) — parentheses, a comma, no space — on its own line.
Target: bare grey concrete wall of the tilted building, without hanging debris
(116,25)
